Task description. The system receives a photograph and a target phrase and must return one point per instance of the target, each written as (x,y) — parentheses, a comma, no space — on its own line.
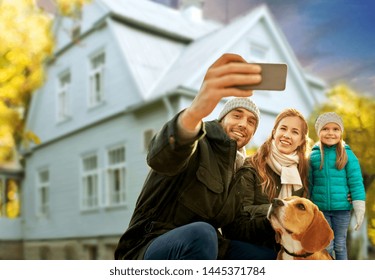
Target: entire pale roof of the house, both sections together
(165,50)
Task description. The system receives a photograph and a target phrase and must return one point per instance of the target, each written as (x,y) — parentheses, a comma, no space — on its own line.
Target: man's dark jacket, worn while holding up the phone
(188,182)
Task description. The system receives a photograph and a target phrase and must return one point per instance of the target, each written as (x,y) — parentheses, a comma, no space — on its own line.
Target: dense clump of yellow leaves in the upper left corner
(26,41)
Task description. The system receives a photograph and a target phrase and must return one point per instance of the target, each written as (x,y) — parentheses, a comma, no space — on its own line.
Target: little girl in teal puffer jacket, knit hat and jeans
(334,173)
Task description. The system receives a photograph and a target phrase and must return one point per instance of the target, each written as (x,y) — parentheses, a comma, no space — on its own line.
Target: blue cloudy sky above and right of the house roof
(333,39)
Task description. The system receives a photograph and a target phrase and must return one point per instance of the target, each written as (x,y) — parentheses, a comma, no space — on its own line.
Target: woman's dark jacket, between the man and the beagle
(252,224)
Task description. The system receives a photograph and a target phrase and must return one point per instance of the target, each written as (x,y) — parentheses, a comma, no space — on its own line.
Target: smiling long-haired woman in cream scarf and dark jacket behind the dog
(277,169)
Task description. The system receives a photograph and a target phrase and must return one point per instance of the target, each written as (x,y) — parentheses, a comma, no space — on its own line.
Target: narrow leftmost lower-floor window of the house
(43,187)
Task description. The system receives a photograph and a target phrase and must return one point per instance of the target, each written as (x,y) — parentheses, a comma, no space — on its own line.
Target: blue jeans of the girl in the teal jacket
(339,221)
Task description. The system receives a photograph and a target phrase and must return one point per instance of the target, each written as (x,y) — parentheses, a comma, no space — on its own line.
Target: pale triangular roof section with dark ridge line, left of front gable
(152,37)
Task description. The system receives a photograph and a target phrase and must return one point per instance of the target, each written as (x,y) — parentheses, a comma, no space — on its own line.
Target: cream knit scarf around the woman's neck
(285,166)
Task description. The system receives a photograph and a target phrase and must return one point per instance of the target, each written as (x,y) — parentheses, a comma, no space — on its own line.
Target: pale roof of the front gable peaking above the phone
(189,69)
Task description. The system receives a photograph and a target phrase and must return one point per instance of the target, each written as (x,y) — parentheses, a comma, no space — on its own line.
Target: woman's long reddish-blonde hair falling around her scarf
(259,159)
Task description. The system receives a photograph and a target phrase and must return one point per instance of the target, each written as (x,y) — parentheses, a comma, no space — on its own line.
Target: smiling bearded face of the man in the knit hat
(239,124)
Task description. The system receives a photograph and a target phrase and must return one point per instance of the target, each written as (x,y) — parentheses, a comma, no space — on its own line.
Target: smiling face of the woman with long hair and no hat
(288,134)
